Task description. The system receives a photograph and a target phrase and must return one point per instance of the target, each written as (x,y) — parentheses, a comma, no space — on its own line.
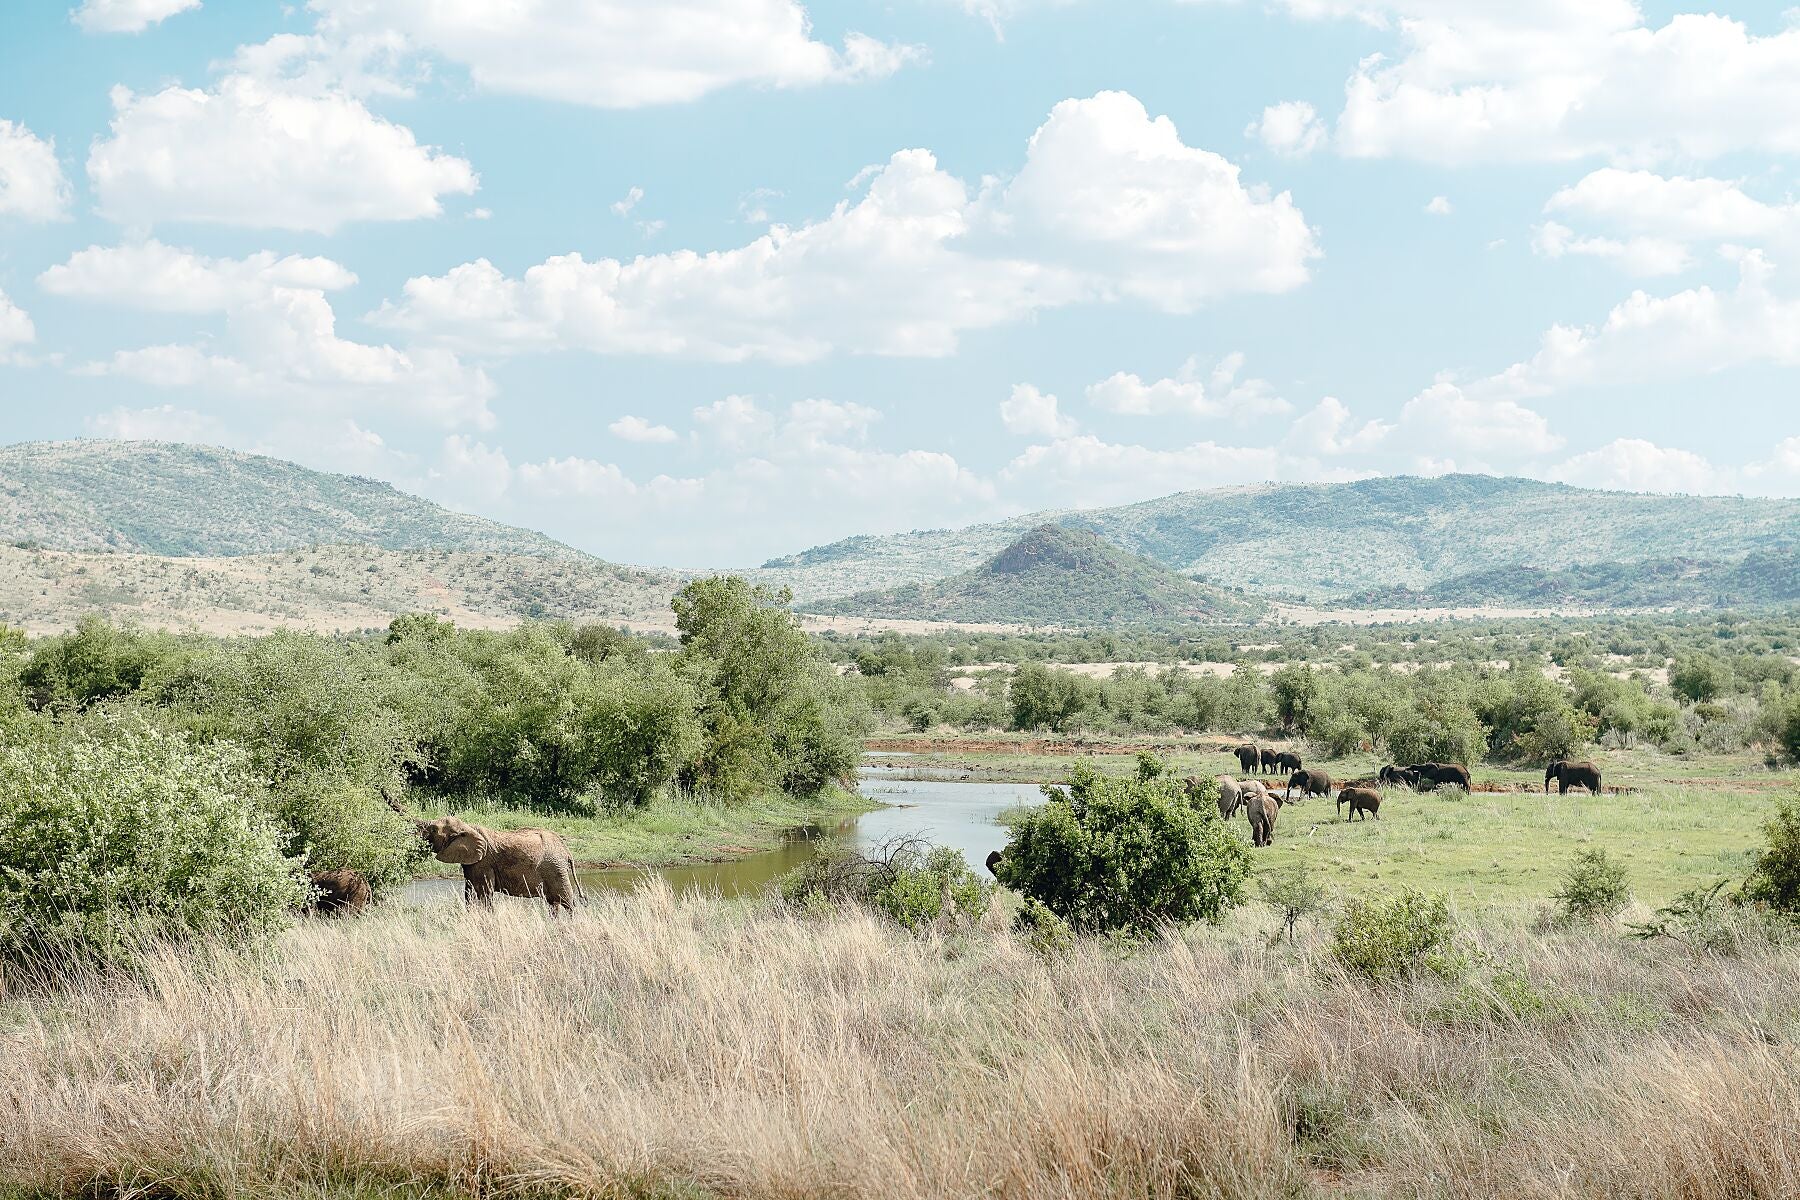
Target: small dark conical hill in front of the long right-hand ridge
(1054,577)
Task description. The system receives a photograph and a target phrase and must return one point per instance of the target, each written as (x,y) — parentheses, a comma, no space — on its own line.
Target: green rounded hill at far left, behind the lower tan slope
(195,501)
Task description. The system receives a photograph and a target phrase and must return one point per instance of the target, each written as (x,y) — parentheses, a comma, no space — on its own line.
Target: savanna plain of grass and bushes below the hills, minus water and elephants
(1480,994)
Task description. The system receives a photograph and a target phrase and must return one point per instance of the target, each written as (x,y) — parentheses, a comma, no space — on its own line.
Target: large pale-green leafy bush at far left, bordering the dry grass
(130,836)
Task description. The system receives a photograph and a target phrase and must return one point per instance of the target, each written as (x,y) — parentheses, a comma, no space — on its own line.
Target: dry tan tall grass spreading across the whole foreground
(685,1048)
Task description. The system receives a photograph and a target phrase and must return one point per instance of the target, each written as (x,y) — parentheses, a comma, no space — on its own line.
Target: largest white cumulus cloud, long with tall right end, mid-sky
(1110,206)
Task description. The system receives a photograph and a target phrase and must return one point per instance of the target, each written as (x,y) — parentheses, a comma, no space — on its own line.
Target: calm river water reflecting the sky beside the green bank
(946,814)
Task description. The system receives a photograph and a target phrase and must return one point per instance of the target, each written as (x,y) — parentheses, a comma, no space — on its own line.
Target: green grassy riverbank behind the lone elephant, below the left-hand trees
(672,830)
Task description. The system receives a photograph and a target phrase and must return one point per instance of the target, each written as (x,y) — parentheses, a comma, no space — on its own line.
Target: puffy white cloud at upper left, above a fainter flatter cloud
(253,156)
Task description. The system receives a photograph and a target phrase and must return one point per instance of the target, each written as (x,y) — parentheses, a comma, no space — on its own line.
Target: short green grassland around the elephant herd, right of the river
(1687,821)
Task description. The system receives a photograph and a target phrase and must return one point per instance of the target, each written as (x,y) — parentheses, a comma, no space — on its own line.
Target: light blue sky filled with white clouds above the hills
(708,282)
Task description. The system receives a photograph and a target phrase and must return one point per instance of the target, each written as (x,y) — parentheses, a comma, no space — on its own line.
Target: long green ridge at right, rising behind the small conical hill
(1329,542)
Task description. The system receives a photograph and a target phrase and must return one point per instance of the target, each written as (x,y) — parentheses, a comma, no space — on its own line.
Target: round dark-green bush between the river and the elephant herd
(1126,855)
